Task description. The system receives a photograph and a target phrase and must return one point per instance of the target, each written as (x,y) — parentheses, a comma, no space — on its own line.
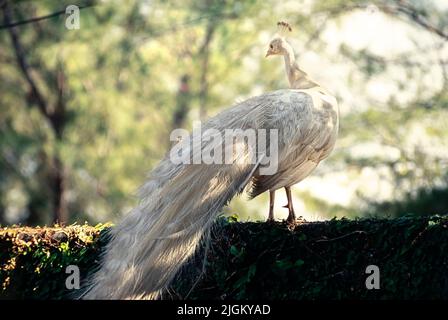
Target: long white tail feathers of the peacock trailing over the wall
(179,203)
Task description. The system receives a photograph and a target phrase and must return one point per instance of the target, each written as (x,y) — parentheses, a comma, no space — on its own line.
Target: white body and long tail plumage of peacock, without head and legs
(179,202)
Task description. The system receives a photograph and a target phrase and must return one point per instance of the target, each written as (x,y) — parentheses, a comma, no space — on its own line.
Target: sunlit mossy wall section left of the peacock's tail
(33,260)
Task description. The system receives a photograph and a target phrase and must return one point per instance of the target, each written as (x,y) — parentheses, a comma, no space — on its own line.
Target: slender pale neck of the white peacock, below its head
(298,79)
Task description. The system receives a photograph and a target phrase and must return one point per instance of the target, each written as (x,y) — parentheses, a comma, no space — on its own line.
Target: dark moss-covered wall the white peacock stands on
(318,260)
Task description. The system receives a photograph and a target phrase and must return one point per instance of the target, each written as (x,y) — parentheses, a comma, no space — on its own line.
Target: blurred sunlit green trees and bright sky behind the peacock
(86,113)
